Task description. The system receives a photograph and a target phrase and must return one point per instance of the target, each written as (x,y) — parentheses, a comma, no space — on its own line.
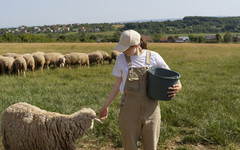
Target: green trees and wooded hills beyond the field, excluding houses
(188,25)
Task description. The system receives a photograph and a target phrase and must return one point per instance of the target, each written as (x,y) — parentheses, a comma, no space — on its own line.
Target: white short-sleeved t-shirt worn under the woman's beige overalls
(121,68)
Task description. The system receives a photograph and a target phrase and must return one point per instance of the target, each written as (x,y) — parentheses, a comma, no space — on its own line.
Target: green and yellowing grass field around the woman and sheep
(204,115)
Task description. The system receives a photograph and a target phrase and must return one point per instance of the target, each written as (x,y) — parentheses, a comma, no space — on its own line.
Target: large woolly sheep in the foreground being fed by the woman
(26,127)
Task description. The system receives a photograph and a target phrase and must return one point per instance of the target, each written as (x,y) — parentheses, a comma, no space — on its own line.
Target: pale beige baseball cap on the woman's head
(128,38)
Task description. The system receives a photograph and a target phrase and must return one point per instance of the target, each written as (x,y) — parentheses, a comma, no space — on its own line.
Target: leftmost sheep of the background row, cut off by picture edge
(6,64)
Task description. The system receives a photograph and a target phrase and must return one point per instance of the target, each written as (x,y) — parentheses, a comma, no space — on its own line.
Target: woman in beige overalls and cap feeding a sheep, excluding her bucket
(139,114)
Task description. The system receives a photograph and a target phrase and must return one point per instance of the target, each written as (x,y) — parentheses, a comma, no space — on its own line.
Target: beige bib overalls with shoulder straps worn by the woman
(139,115)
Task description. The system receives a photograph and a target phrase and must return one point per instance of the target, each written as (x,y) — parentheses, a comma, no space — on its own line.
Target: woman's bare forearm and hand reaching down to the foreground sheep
(103,113)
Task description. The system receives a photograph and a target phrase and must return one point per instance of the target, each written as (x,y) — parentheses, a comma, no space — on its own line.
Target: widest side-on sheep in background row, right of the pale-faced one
(76,58)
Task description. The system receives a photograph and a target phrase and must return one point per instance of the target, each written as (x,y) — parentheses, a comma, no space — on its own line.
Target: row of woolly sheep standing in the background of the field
(19,63)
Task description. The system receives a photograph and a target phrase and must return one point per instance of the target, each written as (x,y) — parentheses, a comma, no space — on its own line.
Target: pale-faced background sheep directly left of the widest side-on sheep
(57,59)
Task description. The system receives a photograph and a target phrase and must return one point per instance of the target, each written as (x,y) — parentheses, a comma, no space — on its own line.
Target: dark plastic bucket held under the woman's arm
(159,80)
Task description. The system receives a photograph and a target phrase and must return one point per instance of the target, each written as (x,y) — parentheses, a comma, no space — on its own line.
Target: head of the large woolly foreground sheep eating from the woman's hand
(85,117)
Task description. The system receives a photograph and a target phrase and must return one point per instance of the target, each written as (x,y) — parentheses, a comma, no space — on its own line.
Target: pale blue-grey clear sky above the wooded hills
(14,13)
